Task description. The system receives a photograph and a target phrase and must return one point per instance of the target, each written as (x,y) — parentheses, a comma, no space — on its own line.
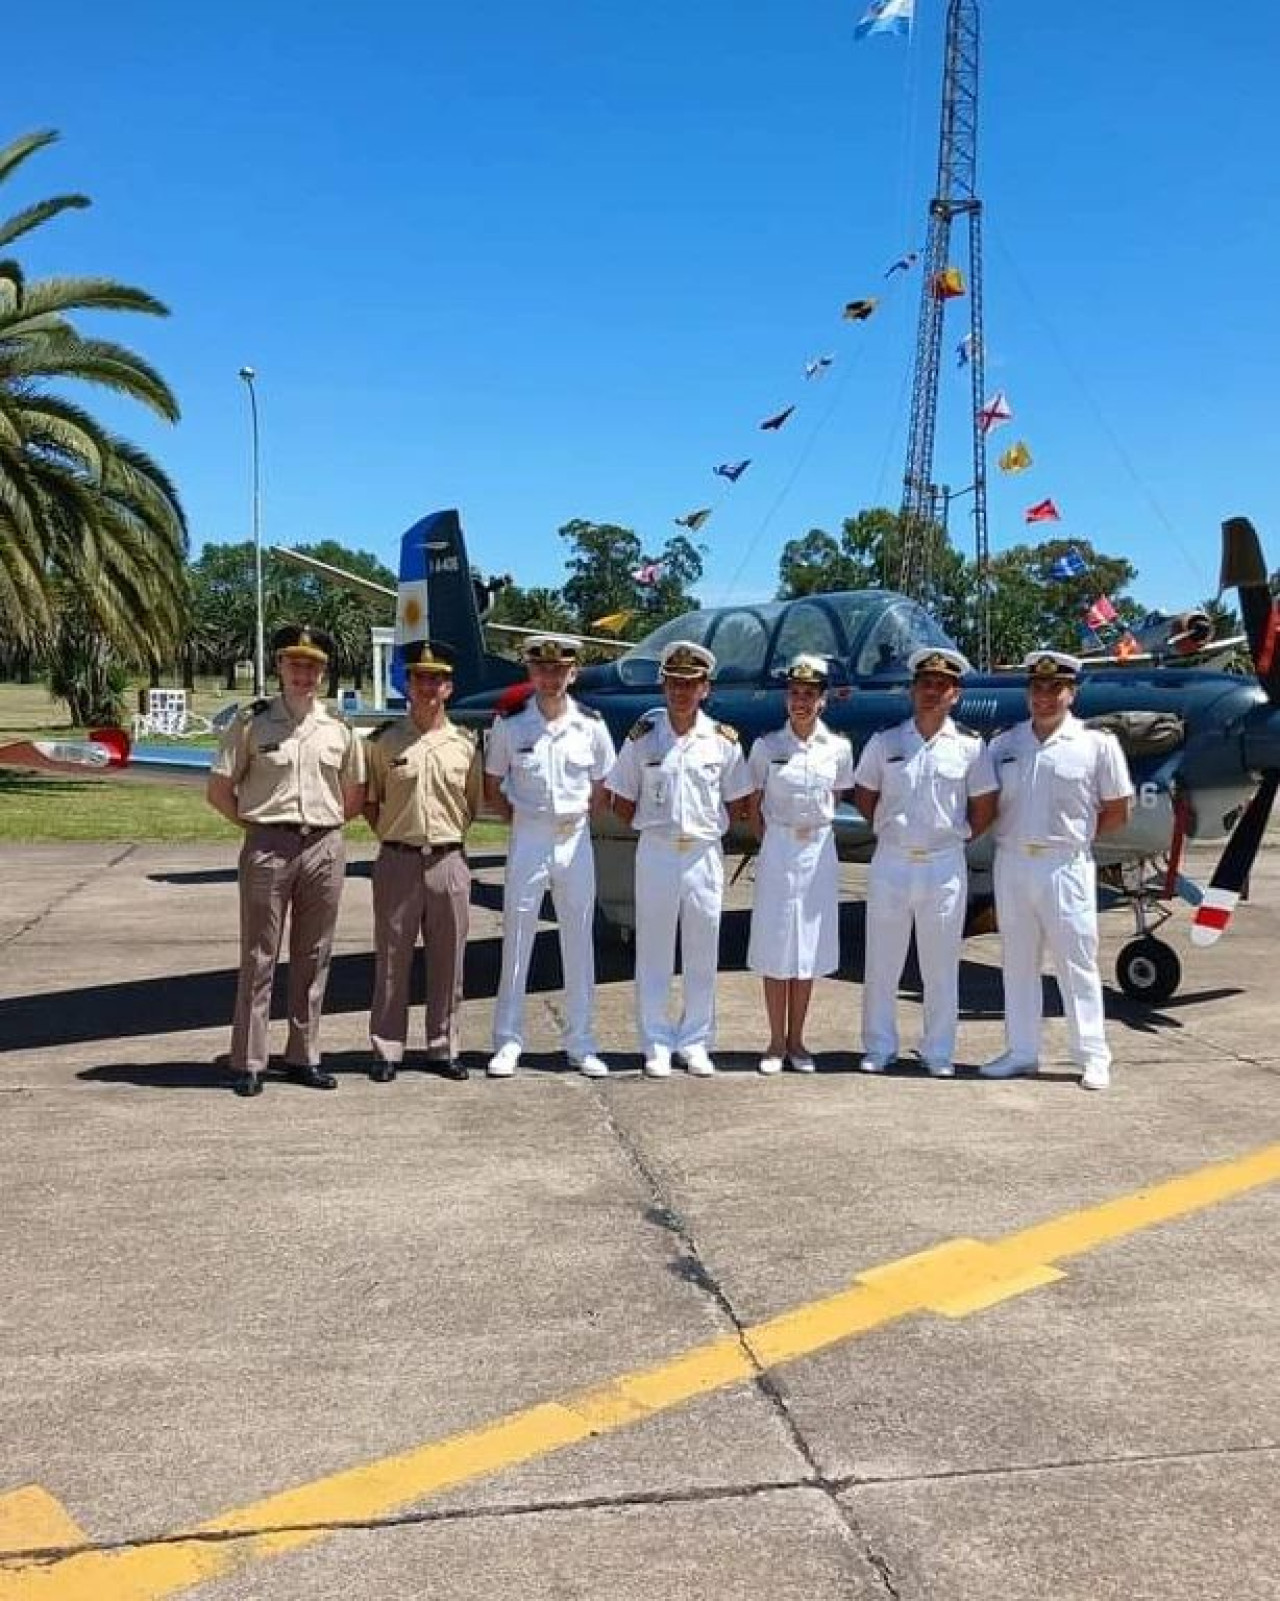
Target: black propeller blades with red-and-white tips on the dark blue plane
(1246,571)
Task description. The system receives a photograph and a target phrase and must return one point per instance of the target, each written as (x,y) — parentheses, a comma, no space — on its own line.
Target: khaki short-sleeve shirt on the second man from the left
(426,787)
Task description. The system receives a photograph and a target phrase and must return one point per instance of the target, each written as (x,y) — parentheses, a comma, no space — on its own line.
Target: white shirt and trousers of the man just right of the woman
(918,877)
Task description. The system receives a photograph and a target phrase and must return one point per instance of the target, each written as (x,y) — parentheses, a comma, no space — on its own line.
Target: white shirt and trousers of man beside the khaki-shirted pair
(548,771)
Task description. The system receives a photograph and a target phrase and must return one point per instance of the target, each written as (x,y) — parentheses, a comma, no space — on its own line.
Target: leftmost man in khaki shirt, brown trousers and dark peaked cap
(290,776)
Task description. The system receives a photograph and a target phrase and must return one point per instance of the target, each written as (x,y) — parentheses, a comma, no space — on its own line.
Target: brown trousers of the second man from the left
(430,894)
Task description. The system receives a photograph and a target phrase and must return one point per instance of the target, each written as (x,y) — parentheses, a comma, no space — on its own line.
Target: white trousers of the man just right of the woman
(930,897)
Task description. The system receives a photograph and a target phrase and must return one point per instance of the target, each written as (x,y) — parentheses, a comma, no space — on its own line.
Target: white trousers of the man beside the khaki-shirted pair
(545,859)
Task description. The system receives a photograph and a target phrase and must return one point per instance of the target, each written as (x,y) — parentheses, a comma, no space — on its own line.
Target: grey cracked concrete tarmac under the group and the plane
(209,1301)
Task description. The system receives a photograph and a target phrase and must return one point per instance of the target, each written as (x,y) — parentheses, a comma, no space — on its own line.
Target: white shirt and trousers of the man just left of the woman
(681,787)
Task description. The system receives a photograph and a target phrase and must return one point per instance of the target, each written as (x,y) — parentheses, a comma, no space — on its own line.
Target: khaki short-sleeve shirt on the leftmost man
(290,771)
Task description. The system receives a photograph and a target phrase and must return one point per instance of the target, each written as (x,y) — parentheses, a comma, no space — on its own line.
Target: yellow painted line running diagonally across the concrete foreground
(954,1280)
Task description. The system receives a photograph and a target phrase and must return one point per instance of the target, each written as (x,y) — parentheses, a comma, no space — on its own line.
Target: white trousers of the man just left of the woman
(676,889)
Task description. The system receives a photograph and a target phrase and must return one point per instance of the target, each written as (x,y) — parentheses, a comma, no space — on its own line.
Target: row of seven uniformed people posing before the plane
(292,774)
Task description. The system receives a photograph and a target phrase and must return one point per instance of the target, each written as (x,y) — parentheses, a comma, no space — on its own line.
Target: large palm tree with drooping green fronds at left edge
(79,505)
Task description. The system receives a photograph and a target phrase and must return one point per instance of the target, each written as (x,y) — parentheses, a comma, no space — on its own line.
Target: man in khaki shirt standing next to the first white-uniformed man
(425,790)
